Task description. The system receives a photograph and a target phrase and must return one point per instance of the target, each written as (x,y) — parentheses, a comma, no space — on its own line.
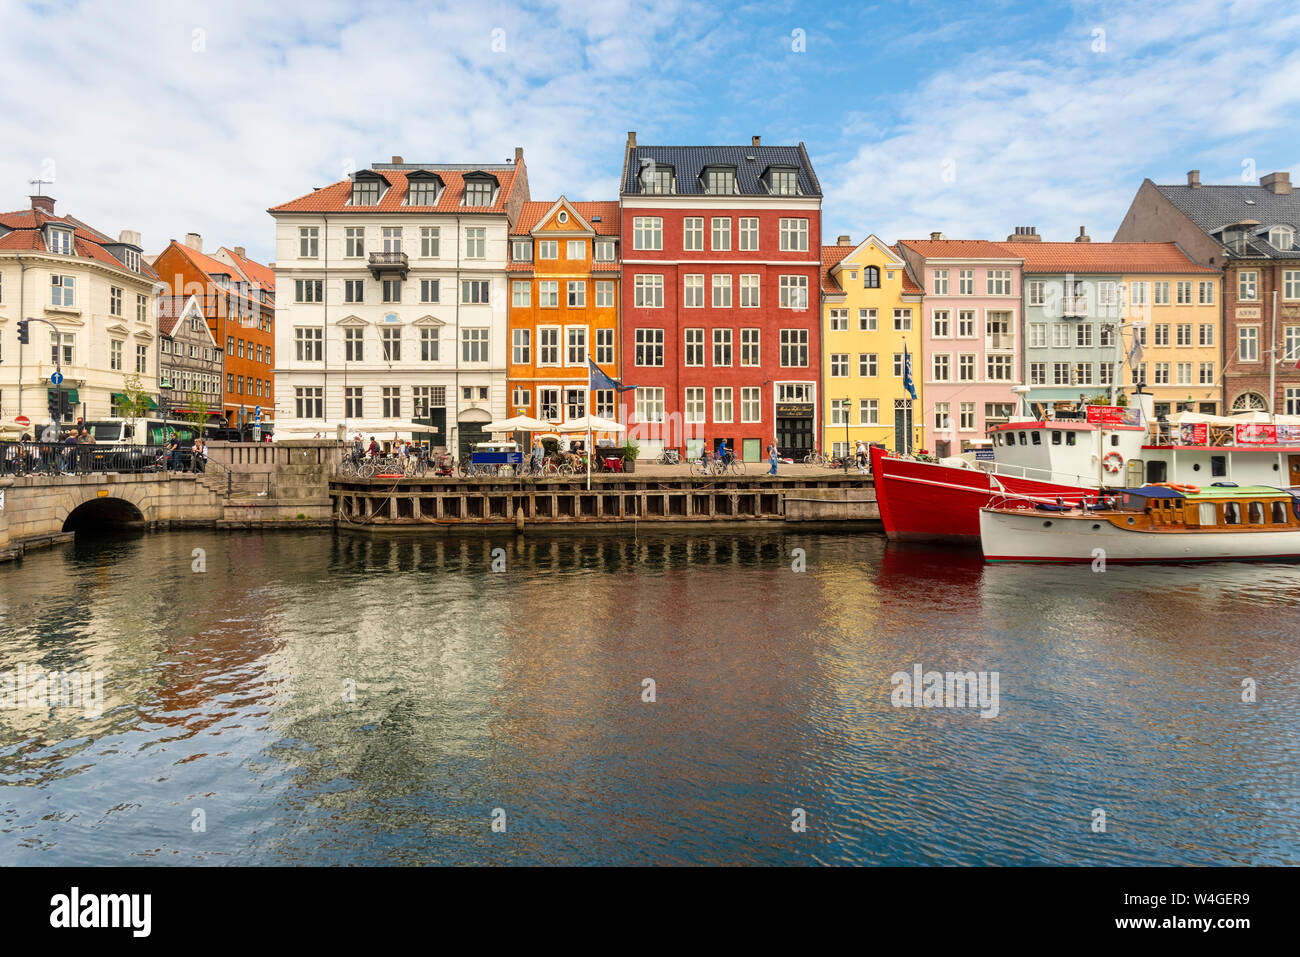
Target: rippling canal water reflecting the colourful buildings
(345,699)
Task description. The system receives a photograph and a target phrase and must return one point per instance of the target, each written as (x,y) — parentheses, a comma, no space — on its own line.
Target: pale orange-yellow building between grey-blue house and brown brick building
(1178,321)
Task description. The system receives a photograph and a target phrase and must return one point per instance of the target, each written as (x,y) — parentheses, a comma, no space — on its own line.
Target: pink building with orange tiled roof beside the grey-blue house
(970,337)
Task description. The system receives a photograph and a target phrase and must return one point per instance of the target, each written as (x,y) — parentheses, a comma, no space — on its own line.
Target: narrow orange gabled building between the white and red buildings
(564,310)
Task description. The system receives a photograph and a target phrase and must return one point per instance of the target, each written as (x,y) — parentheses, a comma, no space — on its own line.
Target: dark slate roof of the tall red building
(690,163)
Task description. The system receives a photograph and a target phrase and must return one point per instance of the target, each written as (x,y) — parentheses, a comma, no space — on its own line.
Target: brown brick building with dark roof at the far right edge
(1250,233)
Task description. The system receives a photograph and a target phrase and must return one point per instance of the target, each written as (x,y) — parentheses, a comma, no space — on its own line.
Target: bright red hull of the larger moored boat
(924,501)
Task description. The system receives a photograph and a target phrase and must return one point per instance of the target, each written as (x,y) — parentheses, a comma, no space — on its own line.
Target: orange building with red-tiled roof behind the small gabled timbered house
(239,300)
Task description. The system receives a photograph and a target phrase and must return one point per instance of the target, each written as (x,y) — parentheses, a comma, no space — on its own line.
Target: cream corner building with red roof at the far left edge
(96,292)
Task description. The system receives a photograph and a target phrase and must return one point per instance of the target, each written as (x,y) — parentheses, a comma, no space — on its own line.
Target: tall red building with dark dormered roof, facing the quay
(721,297)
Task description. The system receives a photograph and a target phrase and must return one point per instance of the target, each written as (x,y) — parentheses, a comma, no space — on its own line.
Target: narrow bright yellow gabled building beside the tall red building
(870,310)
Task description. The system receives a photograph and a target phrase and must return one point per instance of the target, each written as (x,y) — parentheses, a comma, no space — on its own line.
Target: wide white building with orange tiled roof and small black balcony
(393,301)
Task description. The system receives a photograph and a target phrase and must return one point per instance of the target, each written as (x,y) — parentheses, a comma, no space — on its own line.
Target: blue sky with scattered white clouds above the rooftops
(964,118)
